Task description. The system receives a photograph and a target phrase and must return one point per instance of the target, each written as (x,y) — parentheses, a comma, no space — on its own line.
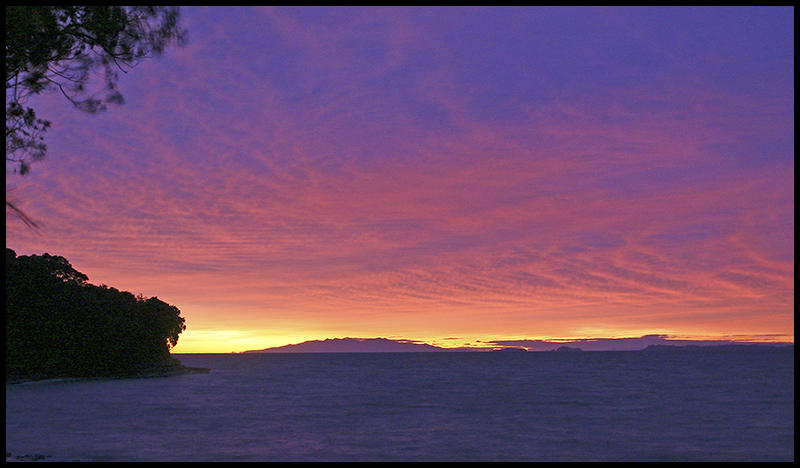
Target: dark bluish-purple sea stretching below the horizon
(683,405)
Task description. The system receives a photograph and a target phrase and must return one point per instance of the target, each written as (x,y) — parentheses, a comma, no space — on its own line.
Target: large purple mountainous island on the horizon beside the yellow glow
(353,345)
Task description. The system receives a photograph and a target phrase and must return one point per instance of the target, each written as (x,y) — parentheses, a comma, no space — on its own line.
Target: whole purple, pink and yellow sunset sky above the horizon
(450,175)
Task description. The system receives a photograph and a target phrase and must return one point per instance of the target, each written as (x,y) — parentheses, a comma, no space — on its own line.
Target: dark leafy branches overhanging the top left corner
(60,48)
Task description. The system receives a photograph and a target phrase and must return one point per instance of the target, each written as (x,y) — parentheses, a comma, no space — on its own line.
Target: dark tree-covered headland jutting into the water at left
(59,325)
